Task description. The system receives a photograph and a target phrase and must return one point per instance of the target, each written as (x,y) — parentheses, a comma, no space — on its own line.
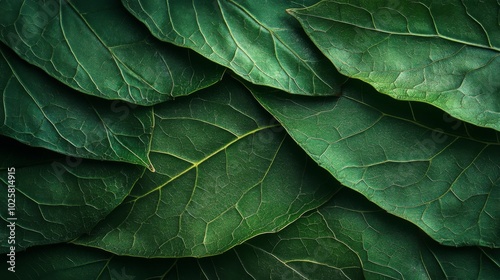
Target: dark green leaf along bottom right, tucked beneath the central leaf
(350,238)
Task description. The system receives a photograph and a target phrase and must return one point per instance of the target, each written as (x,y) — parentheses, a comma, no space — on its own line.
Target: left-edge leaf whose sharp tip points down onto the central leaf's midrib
(38,110)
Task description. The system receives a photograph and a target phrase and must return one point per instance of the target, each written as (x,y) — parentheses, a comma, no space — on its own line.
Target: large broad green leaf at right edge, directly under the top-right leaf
(411,159)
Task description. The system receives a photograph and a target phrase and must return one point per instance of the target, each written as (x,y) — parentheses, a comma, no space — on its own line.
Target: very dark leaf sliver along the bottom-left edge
(77,262)
